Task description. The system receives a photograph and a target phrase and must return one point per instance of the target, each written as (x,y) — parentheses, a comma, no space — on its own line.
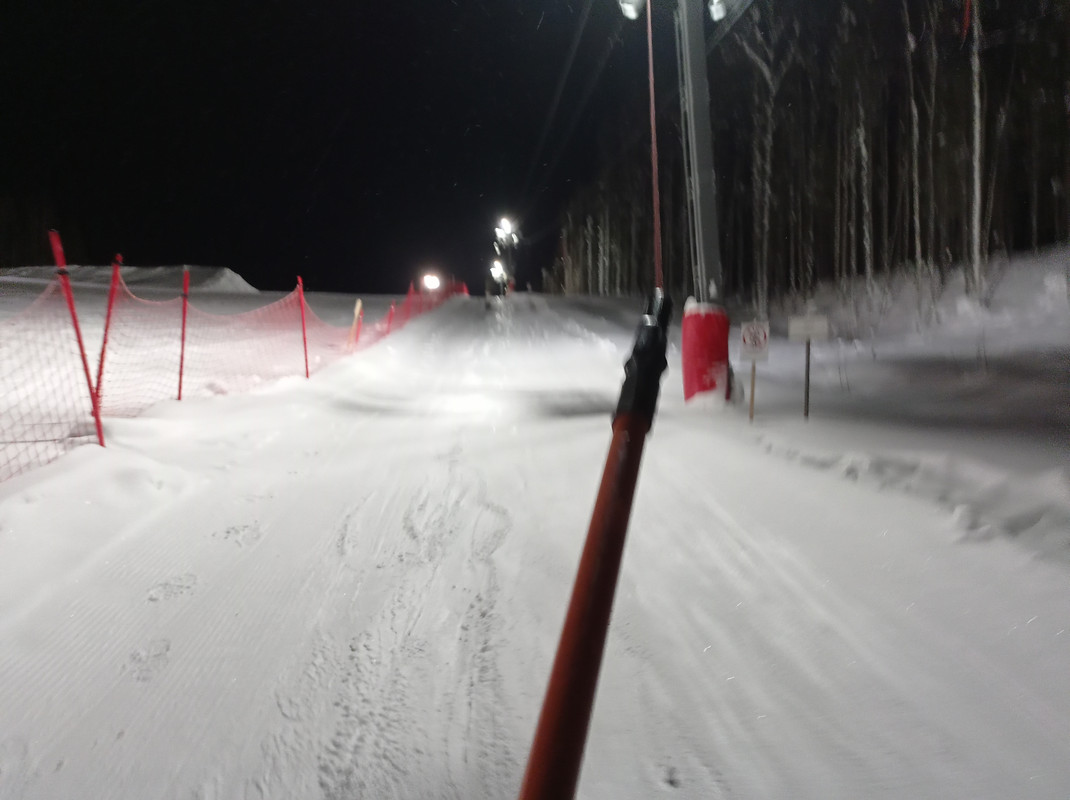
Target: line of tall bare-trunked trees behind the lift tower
(853,139)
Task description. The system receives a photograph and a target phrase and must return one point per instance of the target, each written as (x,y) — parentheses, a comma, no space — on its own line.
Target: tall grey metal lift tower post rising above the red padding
(700,143)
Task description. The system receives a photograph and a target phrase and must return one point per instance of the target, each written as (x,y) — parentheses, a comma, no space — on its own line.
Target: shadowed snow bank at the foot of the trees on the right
(960,404)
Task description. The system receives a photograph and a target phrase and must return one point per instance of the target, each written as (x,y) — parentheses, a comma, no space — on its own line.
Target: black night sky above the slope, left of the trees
(351,142)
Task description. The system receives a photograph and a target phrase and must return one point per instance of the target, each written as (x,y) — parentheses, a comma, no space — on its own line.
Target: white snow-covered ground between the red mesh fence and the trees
(353,587)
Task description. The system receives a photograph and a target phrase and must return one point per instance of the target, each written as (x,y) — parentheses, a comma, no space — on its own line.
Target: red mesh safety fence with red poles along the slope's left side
(154,351)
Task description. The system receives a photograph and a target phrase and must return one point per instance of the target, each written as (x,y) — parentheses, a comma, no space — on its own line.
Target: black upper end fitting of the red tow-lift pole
(643,374)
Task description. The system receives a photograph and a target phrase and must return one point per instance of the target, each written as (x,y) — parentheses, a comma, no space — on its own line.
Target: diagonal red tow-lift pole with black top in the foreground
(557,753)
